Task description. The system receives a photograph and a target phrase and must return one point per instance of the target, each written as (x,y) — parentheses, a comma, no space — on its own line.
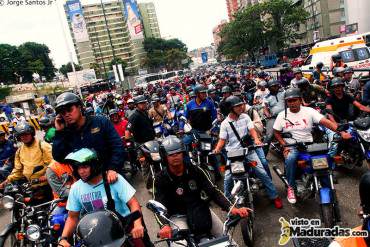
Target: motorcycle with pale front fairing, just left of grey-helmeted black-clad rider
(152,158)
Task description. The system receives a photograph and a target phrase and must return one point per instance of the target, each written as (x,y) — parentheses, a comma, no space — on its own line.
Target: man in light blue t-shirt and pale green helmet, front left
(90,194)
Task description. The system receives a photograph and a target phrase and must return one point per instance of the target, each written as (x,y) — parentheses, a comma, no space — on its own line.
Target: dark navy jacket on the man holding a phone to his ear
(99,134)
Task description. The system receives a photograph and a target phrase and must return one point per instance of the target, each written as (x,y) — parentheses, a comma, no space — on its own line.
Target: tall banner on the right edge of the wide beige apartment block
(133,19)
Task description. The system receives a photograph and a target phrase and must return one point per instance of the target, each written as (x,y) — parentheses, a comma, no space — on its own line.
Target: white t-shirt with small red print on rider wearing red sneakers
(300,125)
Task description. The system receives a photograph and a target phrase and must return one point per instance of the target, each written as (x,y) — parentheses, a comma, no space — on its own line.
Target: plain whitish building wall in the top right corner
(357,11)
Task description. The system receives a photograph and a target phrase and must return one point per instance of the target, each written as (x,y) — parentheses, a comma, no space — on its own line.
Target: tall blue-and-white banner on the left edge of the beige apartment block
(77,21)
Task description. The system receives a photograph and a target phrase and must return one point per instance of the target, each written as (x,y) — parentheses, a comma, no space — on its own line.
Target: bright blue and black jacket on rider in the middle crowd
(201,116)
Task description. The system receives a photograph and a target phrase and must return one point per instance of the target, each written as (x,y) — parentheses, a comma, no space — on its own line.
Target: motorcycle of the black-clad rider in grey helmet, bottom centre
(182,233)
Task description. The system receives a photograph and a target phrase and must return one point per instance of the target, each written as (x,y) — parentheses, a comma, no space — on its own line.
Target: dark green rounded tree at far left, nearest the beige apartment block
(32,55)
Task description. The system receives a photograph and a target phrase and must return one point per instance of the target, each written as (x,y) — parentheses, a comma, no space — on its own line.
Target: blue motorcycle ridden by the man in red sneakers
(315,179)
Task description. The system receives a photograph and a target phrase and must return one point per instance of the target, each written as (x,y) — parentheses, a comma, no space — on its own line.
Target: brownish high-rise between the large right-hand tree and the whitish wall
(324,22)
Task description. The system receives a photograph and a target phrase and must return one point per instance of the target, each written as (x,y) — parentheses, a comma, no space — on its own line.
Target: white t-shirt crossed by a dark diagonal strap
(242,126)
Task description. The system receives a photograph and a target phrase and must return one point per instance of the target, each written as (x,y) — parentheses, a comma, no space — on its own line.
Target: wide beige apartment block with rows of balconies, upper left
(107,35)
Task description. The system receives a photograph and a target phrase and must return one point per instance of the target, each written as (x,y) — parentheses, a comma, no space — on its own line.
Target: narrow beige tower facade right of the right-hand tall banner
(150,21)
